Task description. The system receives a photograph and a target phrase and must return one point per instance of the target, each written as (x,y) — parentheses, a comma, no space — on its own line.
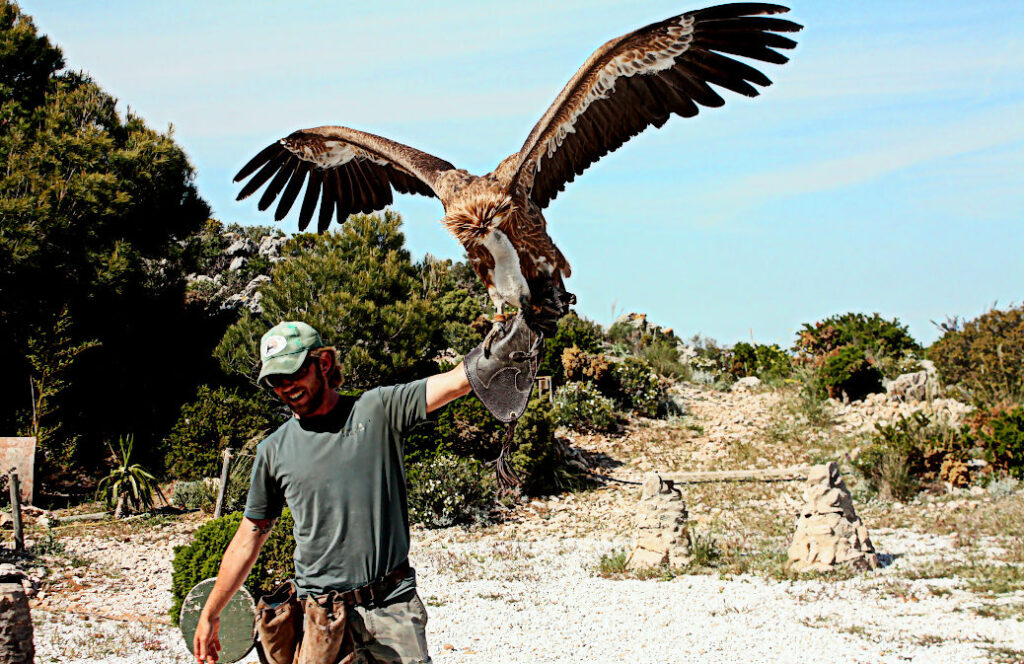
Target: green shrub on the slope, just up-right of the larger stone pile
(908,452)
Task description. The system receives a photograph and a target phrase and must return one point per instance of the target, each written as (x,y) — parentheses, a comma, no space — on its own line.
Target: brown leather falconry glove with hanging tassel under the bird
(503,381)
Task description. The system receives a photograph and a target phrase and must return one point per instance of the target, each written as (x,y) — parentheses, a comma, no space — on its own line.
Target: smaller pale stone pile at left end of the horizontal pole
(662,536)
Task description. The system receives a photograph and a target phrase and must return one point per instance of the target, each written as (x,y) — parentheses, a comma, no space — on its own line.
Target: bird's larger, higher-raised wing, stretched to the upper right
(642,79)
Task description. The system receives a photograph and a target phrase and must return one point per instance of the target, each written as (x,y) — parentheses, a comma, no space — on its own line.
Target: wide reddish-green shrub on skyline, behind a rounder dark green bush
(873,334)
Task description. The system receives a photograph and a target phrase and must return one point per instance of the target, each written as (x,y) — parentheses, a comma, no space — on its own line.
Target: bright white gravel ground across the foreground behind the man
(541,602)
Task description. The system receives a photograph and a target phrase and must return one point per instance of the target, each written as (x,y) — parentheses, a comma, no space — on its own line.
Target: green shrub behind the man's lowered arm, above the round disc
(201,559)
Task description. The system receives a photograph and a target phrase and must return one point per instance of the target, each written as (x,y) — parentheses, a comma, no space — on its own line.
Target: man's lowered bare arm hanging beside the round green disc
(239,560)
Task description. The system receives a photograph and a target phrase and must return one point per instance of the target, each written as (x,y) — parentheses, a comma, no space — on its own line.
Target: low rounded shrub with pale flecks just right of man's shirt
(449,490)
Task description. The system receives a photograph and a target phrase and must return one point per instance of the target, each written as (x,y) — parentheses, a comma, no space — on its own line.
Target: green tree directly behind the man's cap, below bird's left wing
(360,289)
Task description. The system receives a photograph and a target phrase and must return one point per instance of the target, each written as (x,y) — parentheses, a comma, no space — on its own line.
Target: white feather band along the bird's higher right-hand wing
(632,63)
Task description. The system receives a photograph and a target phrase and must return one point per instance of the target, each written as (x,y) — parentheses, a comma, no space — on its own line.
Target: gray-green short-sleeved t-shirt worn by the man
(343,476)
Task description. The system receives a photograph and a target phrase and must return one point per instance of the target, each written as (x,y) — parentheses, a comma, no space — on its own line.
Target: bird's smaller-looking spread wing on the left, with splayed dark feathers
(346,171)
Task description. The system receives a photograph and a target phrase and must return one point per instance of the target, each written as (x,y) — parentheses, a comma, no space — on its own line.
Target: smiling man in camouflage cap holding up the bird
(338,465)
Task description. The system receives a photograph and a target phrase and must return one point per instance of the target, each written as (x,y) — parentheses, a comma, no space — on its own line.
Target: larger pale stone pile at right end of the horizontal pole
(829,533)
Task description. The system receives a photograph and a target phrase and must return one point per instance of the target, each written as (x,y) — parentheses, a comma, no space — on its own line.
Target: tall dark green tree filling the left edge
(93,207)
